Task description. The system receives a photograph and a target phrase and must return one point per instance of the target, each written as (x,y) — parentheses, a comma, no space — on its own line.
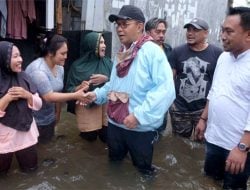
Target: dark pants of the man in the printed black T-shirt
(184,123)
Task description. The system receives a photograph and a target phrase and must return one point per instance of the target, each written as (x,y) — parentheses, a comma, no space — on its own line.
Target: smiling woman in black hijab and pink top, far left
(18,97)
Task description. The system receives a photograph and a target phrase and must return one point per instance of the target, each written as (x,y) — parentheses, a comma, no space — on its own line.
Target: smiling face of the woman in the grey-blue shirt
(61,55)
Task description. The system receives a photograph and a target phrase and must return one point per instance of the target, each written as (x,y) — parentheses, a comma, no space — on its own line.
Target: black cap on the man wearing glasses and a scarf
(128,12)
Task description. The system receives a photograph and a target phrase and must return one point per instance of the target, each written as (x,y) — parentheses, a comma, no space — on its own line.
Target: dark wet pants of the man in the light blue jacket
(138,144)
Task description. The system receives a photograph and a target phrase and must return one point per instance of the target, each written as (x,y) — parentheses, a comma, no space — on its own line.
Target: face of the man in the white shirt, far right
(234,38)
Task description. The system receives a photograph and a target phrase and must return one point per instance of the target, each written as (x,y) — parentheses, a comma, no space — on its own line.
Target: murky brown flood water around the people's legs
(69,163)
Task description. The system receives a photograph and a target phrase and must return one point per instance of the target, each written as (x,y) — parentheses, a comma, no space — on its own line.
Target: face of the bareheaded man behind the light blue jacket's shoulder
(158,33)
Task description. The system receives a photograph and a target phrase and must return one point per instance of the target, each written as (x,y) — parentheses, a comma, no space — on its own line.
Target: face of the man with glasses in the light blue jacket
(128,31)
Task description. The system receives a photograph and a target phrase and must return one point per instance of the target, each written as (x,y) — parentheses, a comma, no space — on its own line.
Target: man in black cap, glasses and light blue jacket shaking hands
(139,92)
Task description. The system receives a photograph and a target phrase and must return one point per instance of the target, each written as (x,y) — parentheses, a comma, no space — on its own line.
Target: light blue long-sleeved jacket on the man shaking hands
(149,84)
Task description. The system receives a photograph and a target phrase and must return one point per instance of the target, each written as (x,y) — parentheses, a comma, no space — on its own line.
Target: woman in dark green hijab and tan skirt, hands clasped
(95,68)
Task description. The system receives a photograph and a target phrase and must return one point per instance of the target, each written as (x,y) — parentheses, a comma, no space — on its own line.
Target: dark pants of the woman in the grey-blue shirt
(46,132)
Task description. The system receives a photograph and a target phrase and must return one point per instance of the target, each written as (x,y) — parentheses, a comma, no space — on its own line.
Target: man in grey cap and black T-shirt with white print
(193,65)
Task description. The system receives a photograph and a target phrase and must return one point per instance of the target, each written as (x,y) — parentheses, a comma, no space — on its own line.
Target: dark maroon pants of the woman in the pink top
(27,160)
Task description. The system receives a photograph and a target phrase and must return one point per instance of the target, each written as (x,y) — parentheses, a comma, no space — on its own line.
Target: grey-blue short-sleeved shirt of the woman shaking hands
(46,82)
